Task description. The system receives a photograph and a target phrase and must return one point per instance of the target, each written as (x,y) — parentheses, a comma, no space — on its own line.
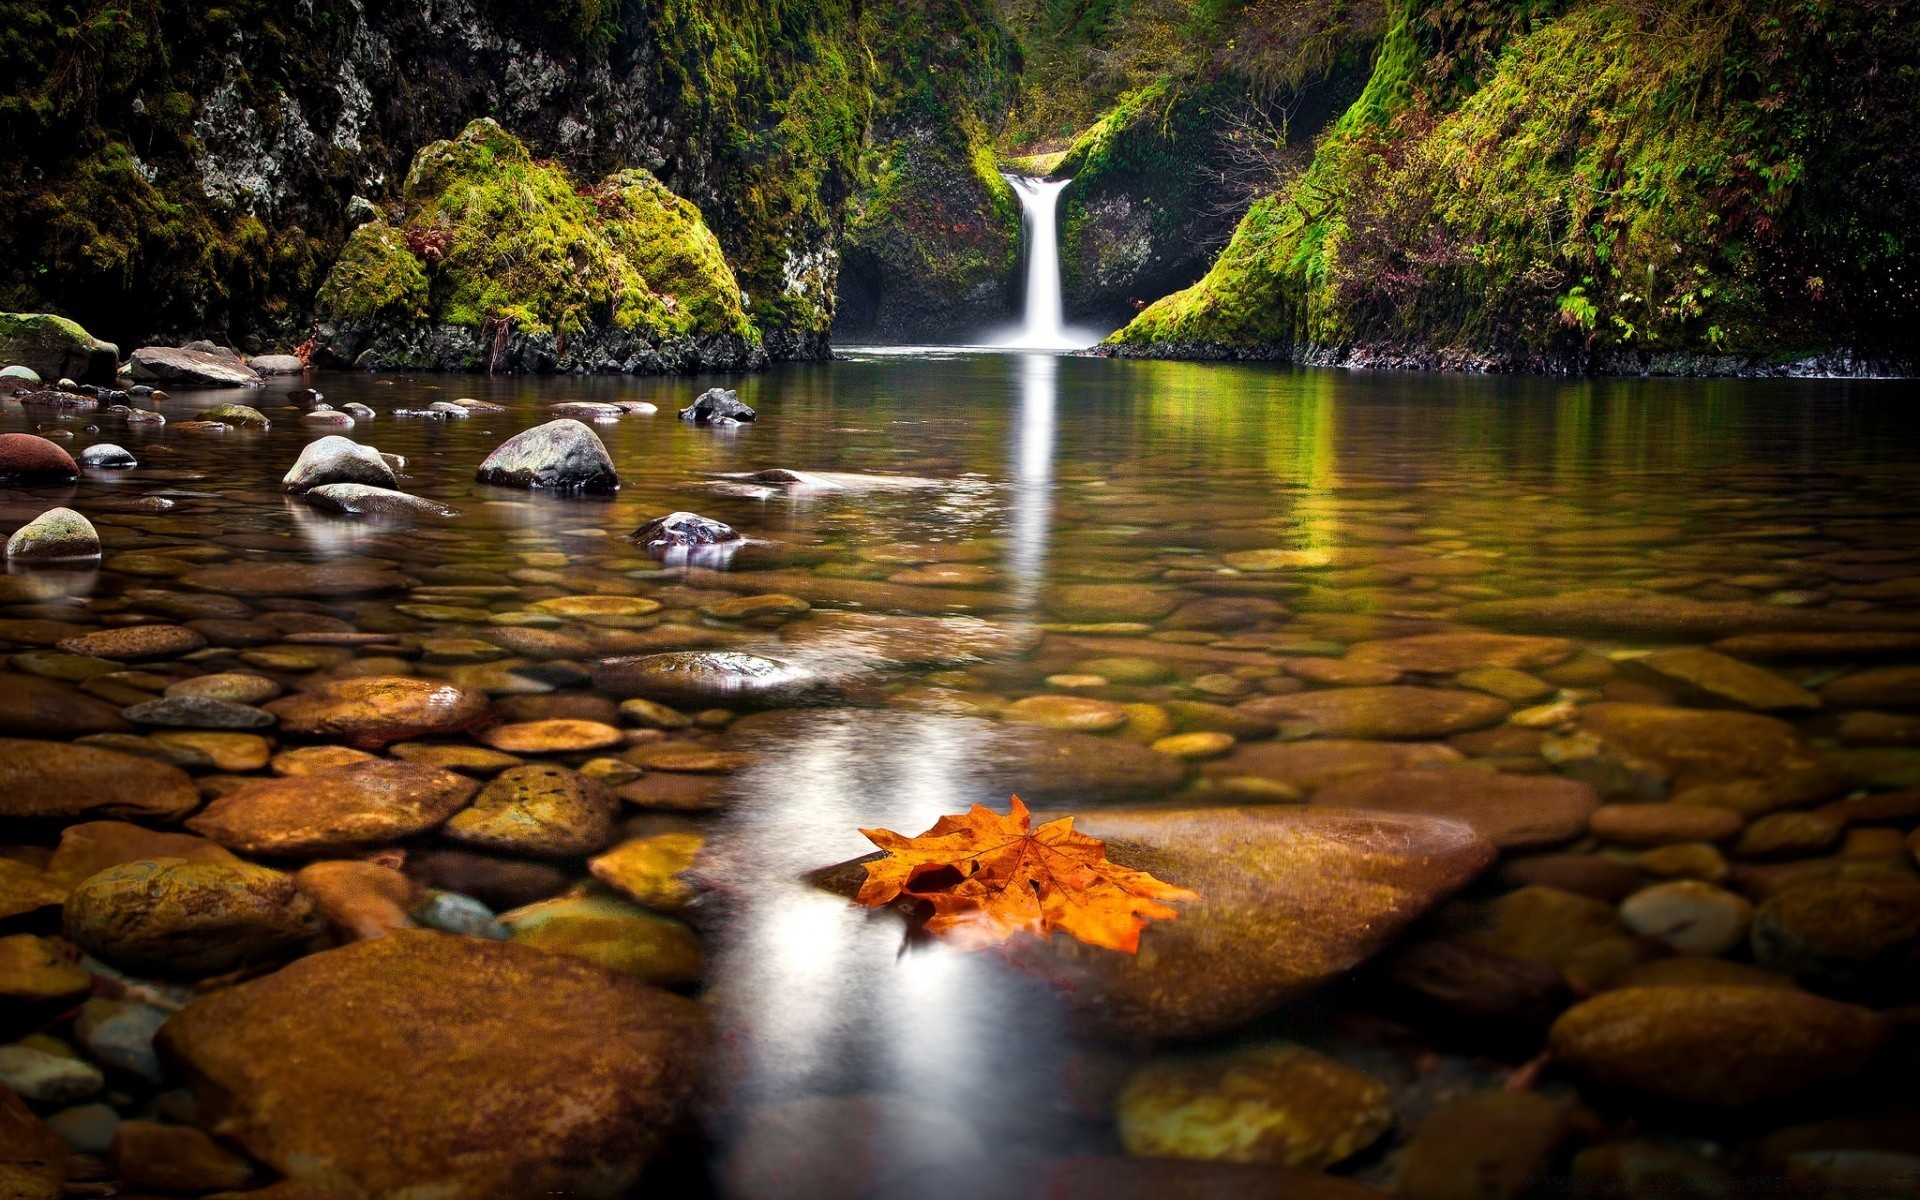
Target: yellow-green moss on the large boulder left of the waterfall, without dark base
(489,233)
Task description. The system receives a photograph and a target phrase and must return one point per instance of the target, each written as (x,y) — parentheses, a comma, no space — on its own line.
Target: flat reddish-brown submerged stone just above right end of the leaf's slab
(1510,811)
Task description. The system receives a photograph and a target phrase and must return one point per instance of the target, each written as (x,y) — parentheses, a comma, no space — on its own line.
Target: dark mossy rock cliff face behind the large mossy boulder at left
(187,170)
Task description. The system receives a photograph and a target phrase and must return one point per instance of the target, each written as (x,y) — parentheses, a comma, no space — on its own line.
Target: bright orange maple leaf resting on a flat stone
(990,878)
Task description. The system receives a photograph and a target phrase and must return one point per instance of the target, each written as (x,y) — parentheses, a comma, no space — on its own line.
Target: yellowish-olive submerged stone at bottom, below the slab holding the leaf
(1268,1103)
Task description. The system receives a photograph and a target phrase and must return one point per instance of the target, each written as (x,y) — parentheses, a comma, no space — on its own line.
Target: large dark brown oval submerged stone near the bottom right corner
(1717,1047)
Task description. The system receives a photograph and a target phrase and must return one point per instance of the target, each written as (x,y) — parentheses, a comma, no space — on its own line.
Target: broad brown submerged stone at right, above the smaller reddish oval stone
(1739,759)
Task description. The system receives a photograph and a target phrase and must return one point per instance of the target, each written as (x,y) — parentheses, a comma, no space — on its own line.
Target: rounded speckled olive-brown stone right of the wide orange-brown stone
(542,809)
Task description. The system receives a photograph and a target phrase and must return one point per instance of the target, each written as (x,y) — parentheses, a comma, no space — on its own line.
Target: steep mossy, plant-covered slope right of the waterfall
(1545,181)
